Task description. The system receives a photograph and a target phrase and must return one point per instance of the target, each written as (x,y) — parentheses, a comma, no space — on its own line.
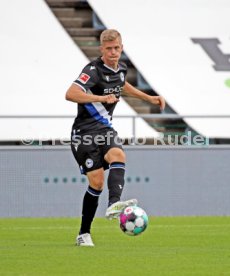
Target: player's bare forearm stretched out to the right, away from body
(134,92)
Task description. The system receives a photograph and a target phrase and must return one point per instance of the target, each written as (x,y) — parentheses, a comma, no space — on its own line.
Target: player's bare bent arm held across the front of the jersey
(77,95)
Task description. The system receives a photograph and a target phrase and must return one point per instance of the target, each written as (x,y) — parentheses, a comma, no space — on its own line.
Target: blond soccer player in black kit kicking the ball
(94,143)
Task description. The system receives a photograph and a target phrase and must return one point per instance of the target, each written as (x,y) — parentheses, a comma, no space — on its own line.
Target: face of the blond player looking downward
(111,52)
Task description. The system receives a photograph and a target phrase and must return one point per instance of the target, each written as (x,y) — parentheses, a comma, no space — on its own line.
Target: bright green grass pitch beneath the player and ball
(170,246)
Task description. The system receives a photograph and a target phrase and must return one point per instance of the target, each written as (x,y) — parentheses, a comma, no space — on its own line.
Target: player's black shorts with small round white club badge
(89,149)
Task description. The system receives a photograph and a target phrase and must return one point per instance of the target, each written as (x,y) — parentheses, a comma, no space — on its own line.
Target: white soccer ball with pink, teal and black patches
(133,220)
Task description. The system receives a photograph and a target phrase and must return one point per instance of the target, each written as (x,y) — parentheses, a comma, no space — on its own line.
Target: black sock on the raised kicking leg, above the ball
(116,181)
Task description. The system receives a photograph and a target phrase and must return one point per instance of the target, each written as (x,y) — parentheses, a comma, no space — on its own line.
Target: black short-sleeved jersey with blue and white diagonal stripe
(98,79)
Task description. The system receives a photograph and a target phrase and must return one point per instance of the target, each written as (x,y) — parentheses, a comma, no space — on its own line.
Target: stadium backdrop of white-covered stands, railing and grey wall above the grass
(178,160)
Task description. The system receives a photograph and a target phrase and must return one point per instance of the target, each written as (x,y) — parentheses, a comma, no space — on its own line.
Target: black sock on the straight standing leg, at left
(90,203)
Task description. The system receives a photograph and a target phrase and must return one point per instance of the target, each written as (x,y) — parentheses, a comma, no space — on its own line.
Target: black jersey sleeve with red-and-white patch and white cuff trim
(88,78)
